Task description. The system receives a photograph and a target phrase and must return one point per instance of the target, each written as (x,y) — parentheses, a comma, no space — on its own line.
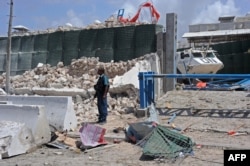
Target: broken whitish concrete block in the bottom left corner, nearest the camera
(15,138)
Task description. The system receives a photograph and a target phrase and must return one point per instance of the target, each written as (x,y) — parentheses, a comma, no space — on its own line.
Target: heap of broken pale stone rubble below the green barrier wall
(77,80)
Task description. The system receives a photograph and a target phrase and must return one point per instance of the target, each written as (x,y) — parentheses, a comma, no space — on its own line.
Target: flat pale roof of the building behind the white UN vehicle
(229,28)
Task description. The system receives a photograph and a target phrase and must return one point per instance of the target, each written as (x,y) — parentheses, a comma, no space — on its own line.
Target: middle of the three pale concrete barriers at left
(33,117)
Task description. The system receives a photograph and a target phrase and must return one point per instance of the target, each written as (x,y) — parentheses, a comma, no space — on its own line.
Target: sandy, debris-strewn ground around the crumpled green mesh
(207,115)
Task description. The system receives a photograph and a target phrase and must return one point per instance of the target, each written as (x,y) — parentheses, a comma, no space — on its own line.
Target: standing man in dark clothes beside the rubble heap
(102,88)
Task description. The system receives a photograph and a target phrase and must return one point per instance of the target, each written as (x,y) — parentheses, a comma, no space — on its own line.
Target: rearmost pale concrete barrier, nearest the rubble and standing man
(59,109)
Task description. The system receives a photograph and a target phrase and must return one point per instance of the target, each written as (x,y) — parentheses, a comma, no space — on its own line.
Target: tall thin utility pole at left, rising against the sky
(8,58)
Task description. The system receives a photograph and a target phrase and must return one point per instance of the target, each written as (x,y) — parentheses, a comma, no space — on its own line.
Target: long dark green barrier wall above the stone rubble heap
(118,44)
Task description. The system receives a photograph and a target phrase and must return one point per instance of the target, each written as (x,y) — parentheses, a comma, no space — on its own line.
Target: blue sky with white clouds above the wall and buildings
(43,14)
